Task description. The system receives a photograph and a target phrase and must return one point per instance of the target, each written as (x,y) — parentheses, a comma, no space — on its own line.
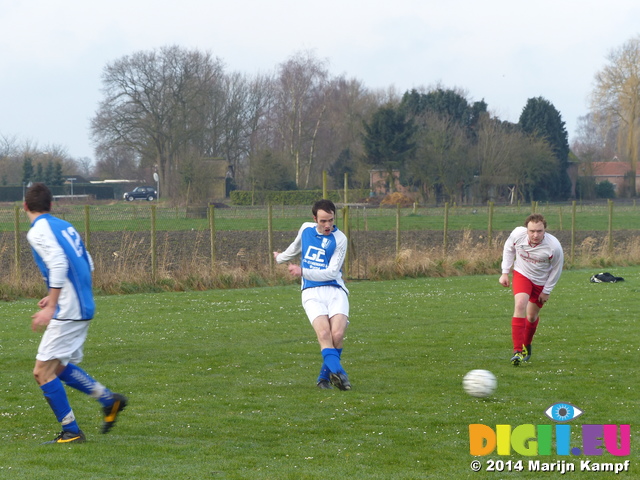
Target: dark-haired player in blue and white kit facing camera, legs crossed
(323,248)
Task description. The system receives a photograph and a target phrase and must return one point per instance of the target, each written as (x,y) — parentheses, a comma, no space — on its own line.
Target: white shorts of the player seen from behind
(63,340)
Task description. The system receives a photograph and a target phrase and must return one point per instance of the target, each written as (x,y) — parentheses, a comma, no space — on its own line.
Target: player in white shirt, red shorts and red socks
(537,260)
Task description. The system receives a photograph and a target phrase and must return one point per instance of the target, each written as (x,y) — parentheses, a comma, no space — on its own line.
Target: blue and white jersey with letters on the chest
(321,256)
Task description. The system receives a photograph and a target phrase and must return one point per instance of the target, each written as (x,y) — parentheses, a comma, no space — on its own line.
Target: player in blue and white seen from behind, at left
(64,315)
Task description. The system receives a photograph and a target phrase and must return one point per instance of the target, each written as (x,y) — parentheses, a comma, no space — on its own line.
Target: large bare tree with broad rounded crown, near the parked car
(157,103)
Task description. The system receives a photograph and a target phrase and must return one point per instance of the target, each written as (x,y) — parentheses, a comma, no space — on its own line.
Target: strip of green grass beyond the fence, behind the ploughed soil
(137,217)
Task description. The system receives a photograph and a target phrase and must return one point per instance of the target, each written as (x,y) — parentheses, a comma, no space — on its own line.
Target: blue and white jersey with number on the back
(64,262)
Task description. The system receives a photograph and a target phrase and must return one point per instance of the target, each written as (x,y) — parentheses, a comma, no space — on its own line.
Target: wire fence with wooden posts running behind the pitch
(157,241)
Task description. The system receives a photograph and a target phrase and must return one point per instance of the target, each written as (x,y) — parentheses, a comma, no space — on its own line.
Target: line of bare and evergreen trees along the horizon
(172,110)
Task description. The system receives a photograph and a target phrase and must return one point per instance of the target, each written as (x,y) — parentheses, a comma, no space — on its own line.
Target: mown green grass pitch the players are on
(222,383)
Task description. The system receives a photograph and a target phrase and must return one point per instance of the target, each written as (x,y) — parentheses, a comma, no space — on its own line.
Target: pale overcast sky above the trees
(52,52)
